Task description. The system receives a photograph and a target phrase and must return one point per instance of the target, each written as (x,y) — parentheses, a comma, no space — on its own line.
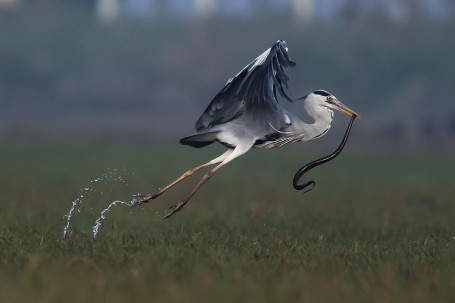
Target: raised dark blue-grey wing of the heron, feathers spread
(253,90)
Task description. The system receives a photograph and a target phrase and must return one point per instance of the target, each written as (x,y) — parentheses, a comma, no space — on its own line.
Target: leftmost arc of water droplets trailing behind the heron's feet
(108,176)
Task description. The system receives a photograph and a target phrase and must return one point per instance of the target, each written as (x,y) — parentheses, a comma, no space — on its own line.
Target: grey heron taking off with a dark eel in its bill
(247,113)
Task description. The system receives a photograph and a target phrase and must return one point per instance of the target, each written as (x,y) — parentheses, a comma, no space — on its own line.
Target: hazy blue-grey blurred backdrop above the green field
(146,69)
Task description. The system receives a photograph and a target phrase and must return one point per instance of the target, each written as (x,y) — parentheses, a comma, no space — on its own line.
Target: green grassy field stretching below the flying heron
(378,227)
